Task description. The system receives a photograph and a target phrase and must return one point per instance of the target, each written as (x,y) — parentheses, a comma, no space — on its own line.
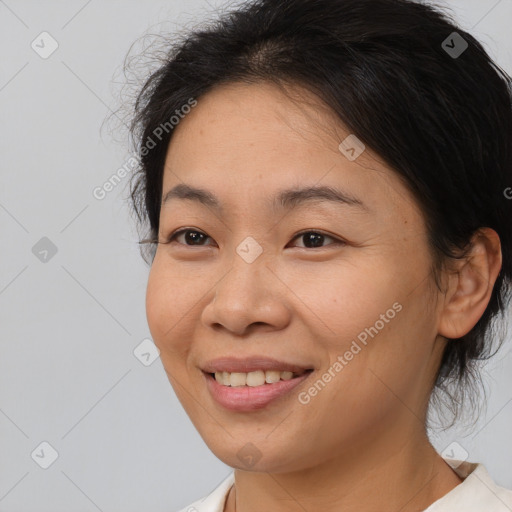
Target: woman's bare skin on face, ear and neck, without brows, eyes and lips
(360,443)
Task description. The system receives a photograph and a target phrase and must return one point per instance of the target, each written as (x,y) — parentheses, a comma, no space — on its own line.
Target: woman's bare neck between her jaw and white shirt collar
(408,476)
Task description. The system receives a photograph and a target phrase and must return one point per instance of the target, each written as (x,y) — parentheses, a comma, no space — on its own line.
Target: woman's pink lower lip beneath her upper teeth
(248,398)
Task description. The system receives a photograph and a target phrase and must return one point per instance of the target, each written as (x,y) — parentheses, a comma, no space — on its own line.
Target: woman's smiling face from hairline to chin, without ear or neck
(351,301)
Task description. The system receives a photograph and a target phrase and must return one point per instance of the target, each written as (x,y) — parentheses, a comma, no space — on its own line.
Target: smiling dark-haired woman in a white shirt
(324,187)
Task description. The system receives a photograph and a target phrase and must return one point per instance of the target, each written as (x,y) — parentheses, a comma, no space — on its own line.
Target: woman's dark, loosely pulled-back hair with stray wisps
(438,113)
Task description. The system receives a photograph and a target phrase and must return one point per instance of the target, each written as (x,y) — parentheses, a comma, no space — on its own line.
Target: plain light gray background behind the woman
(70,323)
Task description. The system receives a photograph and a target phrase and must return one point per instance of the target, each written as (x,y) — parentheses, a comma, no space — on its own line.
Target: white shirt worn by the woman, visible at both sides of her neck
(476,493)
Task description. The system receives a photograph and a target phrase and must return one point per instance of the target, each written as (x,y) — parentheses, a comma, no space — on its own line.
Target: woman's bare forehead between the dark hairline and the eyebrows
(244,140)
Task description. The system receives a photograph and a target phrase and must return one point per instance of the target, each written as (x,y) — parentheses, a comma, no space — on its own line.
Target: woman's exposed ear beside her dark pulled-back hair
(470,285)
